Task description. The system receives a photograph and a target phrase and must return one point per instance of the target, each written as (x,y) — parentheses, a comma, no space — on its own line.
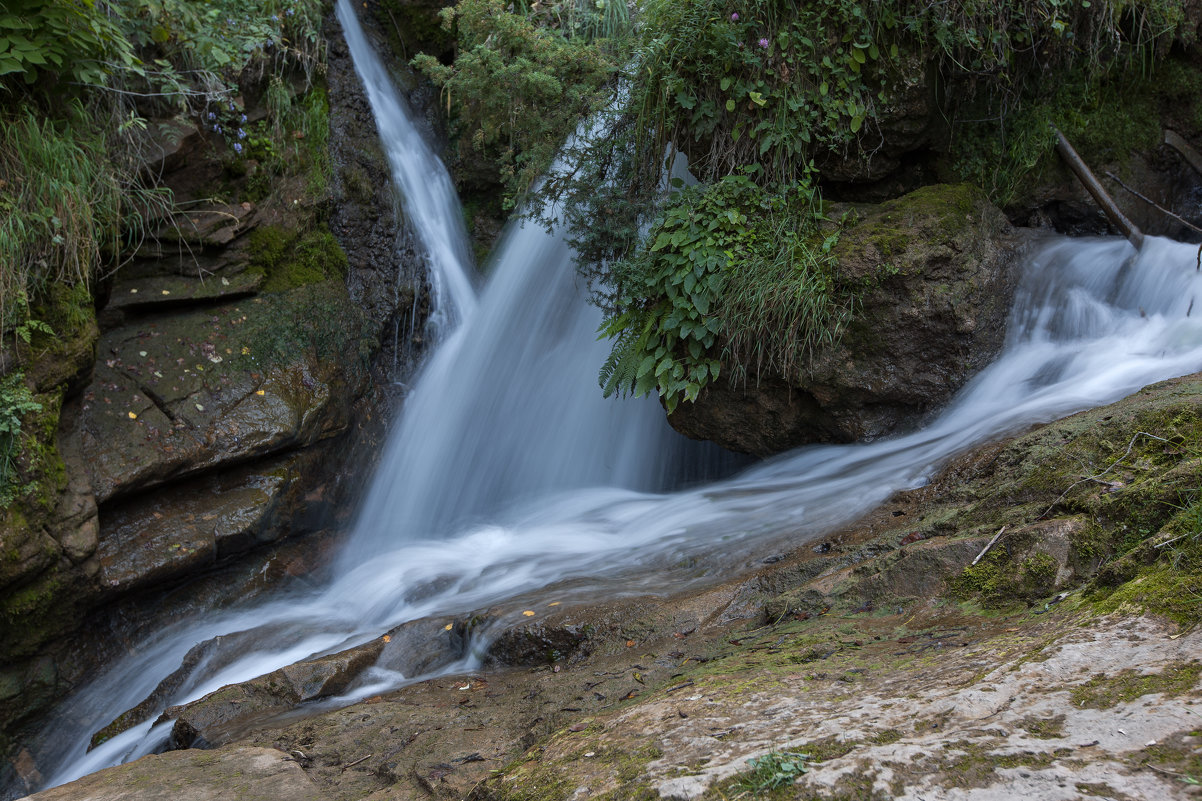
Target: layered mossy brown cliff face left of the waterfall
(218,400)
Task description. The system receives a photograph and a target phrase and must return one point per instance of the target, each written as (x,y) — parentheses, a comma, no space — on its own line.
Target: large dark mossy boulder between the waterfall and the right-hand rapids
(937,270)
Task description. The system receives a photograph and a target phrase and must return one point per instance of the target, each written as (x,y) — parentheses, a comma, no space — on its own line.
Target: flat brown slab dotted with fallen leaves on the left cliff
(183,395)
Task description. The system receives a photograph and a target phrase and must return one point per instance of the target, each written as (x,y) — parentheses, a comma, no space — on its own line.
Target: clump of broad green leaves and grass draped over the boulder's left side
(728,272)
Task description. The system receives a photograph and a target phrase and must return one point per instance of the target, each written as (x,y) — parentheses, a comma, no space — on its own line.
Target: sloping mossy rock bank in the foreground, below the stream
(913,655)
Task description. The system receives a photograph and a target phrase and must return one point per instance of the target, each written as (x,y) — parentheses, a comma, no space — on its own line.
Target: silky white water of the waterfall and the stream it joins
(509,474)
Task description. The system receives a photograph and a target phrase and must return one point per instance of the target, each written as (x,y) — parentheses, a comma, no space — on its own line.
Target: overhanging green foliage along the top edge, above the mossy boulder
(773,84)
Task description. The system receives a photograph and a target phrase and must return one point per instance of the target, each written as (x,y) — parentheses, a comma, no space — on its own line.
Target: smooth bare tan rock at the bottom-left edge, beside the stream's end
(242,774)
